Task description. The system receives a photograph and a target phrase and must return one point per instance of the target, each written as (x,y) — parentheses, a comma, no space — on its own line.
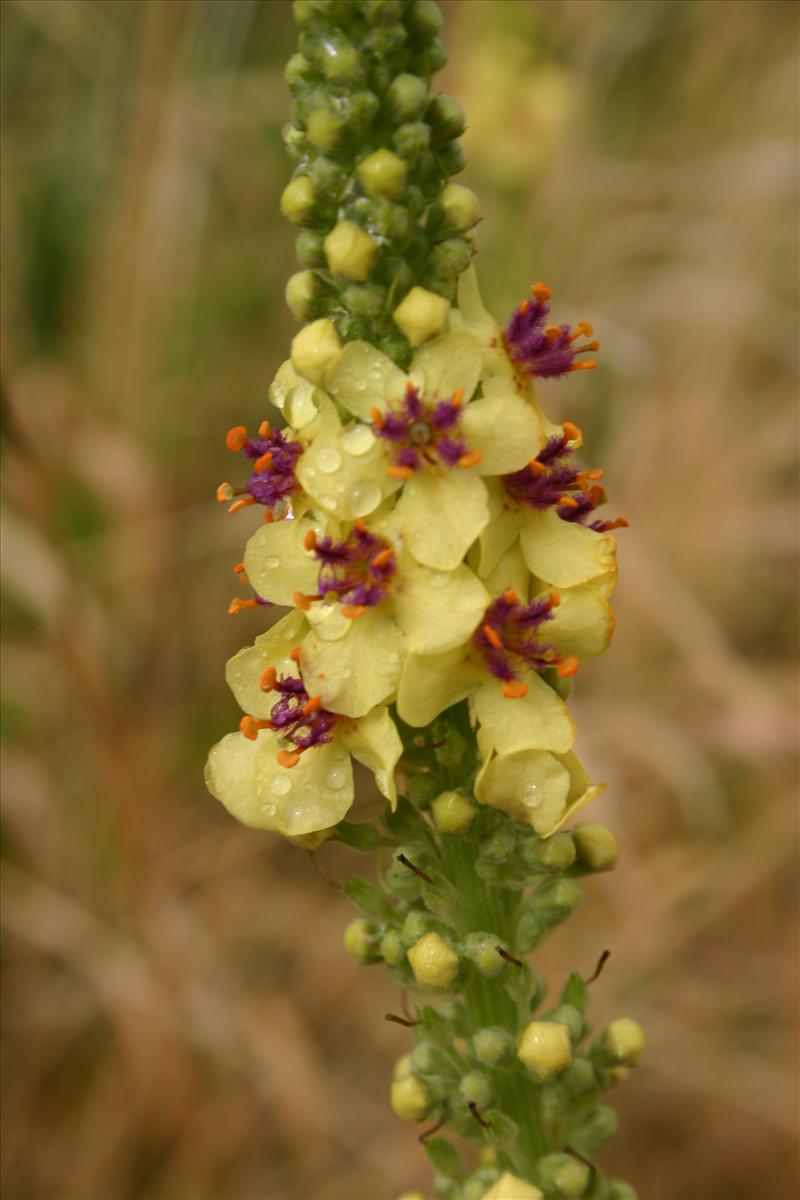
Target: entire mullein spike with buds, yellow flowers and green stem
(446,569)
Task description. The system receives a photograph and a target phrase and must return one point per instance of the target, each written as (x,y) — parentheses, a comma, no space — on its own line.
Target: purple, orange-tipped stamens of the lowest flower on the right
(509,643)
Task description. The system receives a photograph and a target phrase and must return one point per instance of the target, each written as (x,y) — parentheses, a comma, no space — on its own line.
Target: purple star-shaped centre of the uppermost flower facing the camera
(424,433)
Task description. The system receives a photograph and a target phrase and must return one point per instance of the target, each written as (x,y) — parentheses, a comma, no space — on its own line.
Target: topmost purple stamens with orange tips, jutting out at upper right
(546,351)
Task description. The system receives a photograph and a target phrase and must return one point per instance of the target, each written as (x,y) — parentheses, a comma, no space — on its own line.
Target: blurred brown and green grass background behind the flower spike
(179,1021)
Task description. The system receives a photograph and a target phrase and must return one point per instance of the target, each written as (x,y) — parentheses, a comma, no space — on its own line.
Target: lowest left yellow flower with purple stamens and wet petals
(290,769)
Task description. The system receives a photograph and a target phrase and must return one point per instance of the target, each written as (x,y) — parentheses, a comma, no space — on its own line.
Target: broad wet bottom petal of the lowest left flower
(246,777)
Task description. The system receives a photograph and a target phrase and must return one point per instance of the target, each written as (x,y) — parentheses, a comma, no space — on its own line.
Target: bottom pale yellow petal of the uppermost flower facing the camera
(442,513)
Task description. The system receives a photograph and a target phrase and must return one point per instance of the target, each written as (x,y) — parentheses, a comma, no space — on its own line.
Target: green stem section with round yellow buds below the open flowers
(464,896)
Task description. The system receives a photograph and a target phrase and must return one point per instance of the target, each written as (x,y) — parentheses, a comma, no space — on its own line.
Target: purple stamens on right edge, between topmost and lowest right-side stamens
(552,481)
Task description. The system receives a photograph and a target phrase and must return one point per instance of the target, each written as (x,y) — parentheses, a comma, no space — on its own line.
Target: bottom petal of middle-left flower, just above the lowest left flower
(357,671)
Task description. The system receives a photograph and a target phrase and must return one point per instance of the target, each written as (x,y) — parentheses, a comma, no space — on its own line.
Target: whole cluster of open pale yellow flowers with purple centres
(431,536)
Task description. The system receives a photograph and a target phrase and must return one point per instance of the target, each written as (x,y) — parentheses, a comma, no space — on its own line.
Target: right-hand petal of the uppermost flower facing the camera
(504,429)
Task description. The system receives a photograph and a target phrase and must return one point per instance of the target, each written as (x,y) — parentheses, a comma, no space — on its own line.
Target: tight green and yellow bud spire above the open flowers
(374,154)
